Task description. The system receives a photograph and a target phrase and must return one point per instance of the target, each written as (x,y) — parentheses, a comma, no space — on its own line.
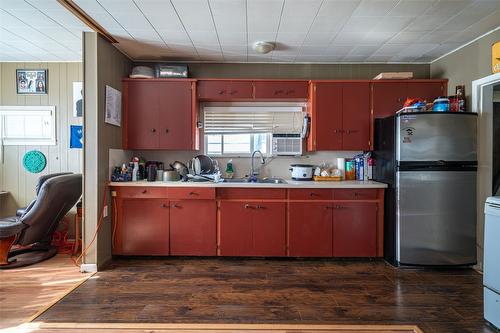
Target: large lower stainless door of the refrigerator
(436,217)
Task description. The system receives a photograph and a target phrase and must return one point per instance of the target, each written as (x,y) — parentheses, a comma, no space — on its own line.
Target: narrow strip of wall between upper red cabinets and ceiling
(302,71)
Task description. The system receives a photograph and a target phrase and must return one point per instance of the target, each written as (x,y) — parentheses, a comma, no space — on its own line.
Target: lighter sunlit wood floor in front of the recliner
(26,291)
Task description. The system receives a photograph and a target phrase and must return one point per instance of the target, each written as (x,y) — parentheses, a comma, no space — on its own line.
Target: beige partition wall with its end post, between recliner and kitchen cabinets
(103,65)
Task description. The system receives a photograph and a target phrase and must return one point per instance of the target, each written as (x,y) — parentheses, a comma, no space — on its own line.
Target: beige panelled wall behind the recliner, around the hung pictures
(13,177)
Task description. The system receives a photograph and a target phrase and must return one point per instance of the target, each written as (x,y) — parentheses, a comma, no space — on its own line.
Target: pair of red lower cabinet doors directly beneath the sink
(252,228)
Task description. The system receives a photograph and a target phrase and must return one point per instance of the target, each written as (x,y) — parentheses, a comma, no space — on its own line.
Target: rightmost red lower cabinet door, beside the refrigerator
(355,229)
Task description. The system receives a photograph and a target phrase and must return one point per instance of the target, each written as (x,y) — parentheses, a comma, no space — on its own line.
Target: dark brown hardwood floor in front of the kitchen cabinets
(176,290)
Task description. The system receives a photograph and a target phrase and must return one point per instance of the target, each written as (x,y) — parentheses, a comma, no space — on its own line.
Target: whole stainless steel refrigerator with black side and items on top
(429,161)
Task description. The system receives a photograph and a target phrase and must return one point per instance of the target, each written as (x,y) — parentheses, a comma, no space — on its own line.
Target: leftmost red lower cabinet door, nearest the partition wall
(144,227)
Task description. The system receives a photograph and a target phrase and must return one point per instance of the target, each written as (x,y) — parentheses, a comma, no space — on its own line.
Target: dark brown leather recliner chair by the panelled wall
(32,228)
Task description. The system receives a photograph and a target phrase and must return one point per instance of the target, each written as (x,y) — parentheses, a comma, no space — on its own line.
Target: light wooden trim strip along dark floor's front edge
(218,327)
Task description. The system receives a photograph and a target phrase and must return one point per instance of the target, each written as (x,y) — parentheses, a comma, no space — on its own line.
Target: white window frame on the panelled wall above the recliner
(26,141)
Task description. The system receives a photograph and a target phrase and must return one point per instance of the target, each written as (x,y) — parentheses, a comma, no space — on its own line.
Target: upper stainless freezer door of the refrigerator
(436,137)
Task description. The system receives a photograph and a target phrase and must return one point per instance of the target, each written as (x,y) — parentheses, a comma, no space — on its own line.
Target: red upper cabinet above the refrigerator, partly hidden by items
(389,97)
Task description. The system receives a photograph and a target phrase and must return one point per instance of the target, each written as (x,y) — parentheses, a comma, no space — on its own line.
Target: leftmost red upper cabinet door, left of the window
(142,108)
